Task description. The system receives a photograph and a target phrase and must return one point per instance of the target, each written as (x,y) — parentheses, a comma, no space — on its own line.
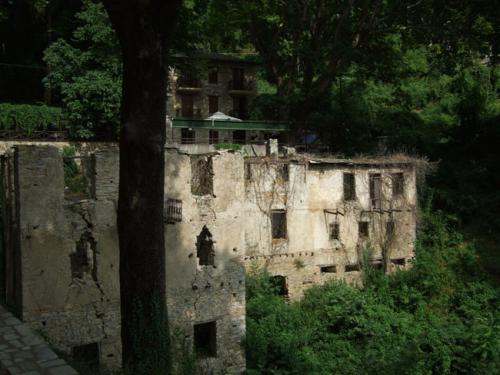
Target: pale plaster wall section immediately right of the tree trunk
(200,293)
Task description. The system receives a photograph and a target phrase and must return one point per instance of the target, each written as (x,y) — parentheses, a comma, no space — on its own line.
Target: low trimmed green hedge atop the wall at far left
(28,118)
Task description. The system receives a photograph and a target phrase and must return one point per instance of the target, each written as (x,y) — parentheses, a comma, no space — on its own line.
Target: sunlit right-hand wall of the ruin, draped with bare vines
(311,193)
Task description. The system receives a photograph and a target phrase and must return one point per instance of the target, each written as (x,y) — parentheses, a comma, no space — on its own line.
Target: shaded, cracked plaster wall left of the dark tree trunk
(69,311)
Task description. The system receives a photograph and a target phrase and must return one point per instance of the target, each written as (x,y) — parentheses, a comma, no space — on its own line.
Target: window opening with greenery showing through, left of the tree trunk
(79,176)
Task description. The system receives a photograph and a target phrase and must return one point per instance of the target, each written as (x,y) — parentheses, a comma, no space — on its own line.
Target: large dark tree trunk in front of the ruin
(144,30)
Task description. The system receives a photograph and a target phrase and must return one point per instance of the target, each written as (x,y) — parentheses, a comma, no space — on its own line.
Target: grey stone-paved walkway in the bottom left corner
(22,352)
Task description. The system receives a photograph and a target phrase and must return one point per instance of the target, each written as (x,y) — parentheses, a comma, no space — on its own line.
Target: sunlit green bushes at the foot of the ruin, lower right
(441,317)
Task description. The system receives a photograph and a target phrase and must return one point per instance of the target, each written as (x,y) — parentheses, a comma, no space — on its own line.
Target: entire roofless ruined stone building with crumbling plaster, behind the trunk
(305,220)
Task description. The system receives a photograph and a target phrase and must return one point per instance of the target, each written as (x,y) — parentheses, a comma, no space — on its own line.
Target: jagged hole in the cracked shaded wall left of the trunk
(84,258)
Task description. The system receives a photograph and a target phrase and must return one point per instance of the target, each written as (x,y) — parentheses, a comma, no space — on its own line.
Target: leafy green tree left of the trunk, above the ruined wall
(87,73)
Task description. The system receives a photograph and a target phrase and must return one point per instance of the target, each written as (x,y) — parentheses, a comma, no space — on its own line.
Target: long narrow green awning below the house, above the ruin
(232,125)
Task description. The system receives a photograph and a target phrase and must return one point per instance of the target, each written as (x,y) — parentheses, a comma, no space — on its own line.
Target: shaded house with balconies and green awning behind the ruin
(227,85)
